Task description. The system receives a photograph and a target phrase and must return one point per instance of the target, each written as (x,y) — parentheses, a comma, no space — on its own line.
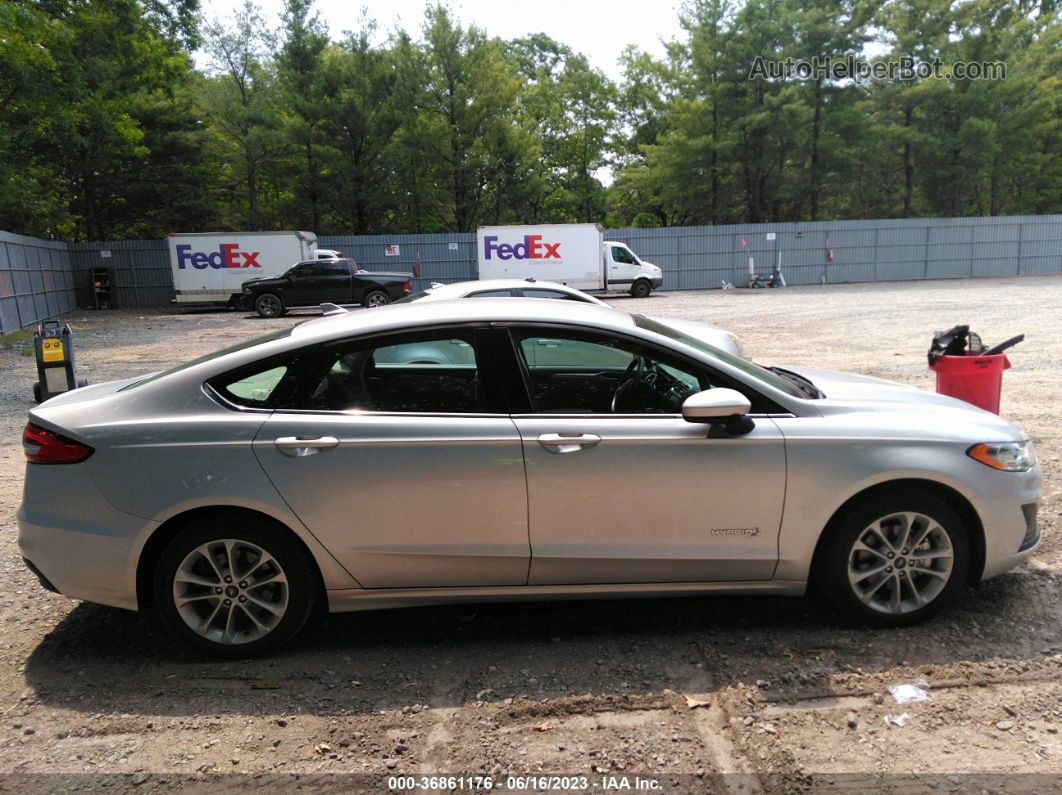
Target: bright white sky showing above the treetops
(599,30)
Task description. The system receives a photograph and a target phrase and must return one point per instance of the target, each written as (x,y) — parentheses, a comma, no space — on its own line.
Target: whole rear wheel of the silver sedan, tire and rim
(235,590)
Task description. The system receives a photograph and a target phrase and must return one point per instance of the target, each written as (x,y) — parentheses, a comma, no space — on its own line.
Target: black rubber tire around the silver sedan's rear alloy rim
(298,566)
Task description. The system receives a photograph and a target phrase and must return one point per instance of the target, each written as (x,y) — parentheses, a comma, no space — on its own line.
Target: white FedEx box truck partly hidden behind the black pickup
(211,267)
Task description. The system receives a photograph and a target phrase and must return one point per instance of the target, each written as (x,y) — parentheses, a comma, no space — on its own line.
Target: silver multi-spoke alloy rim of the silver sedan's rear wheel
(231,592)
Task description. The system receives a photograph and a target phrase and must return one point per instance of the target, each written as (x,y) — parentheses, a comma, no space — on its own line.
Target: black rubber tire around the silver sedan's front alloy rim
(854,524)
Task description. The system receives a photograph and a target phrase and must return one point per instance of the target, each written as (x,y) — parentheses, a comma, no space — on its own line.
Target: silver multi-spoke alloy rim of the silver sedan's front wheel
(901,563)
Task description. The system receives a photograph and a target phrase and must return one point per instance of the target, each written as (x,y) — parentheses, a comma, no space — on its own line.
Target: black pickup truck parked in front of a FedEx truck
(323,282)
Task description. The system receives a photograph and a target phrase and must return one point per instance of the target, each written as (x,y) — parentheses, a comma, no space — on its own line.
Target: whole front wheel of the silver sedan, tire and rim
(896,560)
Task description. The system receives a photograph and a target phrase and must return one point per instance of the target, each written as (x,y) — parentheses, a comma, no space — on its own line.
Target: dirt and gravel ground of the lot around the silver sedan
(723,695)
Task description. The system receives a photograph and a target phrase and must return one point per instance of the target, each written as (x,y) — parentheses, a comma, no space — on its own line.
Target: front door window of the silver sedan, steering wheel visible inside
(584,374)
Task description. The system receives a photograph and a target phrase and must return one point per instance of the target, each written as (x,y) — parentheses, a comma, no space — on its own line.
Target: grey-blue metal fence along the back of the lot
(41,279)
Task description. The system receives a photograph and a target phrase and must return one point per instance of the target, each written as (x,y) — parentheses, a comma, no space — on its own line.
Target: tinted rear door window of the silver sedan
(427,373)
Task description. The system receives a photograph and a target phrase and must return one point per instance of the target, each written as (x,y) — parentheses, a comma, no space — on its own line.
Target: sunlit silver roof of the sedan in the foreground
(483,310)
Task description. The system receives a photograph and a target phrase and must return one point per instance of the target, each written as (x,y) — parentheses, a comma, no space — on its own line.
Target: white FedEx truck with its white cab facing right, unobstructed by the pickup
(576,255)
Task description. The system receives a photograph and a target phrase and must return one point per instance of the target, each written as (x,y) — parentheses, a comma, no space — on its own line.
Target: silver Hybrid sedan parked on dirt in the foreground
(455,452)
